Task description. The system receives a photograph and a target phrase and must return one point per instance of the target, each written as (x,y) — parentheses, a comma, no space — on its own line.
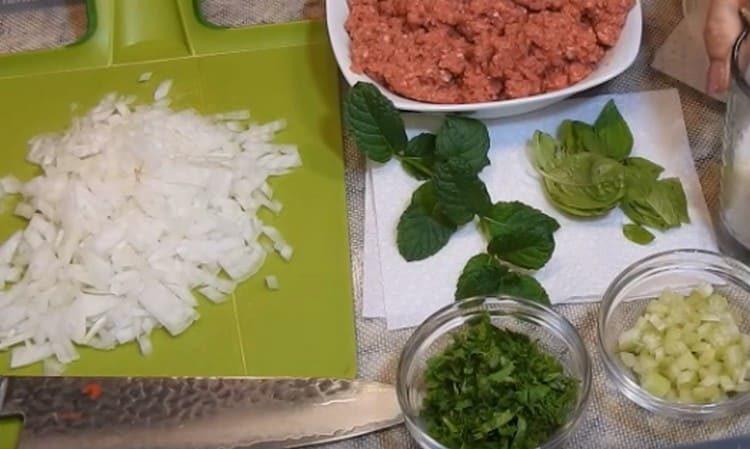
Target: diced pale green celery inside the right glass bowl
(688,349)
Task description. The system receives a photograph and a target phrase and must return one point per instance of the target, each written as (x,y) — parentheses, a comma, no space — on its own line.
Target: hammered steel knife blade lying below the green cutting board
(194,413)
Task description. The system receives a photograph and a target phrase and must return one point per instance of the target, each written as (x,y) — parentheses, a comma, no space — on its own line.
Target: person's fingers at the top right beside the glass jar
(723,26)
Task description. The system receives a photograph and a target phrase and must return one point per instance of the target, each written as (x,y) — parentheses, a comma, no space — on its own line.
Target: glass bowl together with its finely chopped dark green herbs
(493,373)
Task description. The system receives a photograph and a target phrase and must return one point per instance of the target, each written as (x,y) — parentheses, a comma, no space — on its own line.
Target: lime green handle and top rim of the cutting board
(122,32)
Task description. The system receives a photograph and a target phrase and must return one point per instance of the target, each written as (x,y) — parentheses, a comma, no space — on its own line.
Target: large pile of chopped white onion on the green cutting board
(137,207)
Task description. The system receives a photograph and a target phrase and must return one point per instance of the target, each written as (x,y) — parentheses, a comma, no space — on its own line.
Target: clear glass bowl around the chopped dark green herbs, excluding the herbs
(553,332)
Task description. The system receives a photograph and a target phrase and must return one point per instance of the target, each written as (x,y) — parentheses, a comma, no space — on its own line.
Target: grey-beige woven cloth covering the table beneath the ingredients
(611,421)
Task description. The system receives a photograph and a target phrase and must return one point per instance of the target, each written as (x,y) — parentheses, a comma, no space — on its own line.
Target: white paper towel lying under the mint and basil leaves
(589,254)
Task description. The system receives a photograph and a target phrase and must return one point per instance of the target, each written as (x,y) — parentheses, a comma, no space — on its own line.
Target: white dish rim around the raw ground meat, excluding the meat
(616,61)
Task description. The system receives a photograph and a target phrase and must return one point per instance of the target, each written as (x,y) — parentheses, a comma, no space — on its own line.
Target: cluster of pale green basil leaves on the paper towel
(588,171)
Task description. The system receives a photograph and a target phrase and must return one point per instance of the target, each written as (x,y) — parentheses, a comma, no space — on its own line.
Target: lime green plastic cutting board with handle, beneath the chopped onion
(280,71)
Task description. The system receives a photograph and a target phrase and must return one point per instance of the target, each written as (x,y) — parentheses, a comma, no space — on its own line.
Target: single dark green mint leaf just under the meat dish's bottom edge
(464,138)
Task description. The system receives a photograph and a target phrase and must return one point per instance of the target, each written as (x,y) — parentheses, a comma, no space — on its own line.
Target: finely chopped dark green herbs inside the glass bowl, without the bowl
(494,388)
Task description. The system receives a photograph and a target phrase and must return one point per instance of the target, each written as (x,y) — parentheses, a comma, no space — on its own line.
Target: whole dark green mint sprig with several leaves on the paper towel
(452,195)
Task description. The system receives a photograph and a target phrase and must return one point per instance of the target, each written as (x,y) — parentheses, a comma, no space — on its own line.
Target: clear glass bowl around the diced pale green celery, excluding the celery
(627,296)
